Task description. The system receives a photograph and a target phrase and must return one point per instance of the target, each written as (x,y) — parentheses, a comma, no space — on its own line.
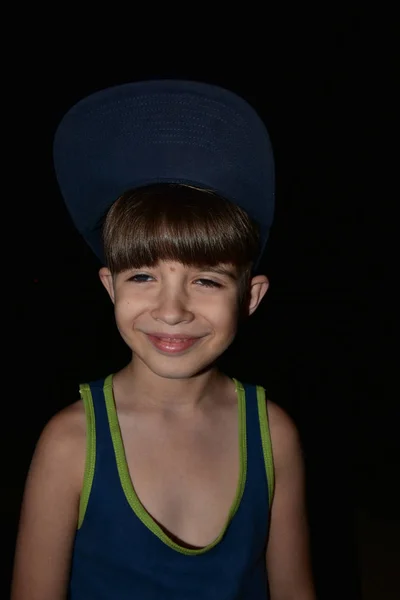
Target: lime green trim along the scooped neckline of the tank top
(130,492)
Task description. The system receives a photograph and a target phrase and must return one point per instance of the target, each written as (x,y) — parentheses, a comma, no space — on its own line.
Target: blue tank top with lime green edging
(120,552)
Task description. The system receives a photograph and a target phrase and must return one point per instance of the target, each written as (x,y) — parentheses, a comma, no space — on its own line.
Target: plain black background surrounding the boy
(322,342)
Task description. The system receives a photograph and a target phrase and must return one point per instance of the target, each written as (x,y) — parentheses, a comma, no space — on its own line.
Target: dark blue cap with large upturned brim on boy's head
(148,132)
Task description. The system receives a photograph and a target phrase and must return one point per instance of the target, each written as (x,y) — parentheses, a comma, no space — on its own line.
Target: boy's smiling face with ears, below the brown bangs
(179,319)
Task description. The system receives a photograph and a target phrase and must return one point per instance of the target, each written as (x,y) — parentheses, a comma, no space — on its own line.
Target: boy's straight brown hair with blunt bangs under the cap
(178,222)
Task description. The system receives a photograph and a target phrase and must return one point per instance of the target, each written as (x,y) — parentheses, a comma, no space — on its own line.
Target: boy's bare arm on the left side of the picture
(50,507)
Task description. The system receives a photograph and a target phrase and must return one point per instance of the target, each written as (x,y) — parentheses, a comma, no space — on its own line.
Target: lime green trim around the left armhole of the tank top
(87,399)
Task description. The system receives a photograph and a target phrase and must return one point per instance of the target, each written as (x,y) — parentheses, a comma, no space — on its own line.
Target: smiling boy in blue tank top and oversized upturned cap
(159,483)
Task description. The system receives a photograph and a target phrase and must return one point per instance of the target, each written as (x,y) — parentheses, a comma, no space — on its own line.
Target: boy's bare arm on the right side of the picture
(288,556)
